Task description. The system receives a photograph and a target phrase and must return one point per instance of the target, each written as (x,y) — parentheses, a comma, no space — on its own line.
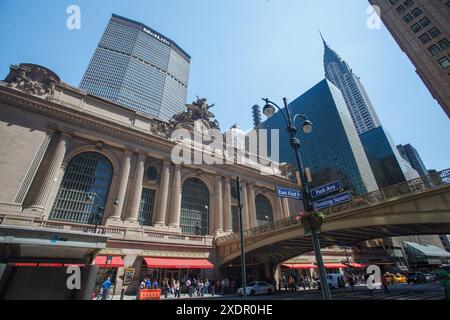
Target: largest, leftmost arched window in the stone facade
(88,175)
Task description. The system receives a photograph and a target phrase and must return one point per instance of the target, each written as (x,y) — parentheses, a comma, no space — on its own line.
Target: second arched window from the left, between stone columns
(194,207)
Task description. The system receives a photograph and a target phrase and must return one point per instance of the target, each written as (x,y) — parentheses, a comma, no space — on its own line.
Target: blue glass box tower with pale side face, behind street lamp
(333,151)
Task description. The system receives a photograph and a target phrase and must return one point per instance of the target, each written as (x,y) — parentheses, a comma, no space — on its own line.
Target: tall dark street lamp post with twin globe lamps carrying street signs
(269,110)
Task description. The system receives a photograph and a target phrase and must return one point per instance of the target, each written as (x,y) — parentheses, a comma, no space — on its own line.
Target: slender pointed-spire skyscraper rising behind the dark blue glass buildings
(359,105)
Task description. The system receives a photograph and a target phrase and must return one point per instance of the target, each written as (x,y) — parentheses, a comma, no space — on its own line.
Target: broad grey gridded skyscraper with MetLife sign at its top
(139,68)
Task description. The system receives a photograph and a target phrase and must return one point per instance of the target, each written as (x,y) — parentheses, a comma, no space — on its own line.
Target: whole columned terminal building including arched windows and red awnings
(89,183)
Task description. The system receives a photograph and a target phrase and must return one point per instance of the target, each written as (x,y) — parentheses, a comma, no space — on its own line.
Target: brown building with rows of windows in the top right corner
(422,30)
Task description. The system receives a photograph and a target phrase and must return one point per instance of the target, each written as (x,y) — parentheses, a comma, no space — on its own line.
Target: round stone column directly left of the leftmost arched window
(51,175)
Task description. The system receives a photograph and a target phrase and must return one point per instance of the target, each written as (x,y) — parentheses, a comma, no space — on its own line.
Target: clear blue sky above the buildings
(241,51)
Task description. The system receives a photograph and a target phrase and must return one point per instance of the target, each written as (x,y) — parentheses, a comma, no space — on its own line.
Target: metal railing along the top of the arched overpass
(398,190)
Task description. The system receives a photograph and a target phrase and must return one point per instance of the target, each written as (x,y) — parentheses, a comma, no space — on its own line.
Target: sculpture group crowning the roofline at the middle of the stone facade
(196,117)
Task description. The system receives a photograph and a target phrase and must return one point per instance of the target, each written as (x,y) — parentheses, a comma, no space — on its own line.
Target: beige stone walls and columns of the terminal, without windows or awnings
(42,129)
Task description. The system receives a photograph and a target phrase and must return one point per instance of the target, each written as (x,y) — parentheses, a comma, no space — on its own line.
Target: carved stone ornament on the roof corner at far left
(33,79)
